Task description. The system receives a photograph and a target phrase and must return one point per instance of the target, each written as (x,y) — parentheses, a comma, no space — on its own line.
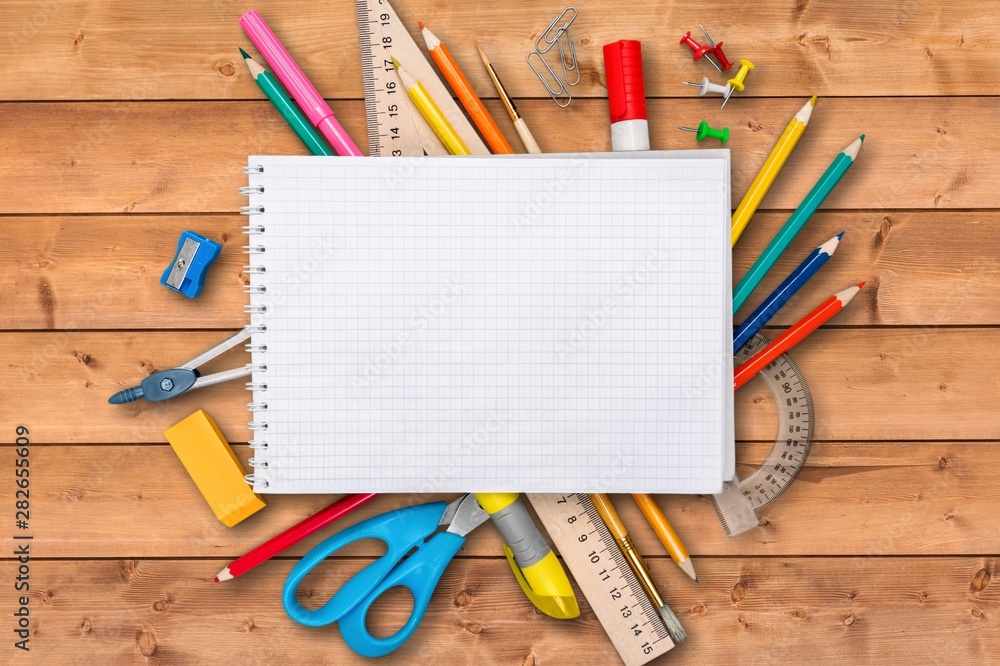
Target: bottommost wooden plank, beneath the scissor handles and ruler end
(862,611)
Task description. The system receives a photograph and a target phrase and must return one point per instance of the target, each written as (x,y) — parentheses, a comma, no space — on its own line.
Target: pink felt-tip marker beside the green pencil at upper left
(312,103)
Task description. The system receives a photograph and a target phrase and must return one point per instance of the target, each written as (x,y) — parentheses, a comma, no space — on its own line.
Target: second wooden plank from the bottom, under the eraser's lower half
(935,498)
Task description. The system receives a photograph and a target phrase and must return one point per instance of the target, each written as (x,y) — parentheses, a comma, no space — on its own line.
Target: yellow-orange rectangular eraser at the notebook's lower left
(216,470)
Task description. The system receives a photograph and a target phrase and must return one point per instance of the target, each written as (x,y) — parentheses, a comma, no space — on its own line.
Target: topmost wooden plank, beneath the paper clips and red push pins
(187,49)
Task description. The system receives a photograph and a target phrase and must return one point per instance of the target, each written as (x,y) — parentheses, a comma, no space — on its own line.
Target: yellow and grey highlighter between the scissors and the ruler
(535,565)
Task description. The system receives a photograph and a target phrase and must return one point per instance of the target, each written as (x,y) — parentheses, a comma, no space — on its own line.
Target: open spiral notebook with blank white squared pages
(556,323)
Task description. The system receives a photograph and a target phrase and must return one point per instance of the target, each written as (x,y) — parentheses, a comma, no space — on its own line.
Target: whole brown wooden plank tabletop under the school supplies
(125,123)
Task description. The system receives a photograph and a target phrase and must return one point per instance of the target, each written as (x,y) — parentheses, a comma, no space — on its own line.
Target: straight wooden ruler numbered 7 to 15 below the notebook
(592,554)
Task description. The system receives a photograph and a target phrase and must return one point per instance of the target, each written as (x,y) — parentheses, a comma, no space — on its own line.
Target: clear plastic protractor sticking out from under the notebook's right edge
(740,500)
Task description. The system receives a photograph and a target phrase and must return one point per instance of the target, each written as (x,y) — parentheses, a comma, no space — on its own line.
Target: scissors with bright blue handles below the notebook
(401,530)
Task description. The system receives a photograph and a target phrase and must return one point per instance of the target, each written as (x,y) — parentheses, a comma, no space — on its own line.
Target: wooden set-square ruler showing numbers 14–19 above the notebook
(395,127)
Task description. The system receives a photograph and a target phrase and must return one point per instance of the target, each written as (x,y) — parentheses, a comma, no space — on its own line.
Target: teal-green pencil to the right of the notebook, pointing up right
(794,225)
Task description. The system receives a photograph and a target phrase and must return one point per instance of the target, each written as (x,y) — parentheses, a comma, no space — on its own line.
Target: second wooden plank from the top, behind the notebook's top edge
(147,157)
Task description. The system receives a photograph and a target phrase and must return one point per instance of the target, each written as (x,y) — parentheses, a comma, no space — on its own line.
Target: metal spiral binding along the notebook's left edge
(255,407)
